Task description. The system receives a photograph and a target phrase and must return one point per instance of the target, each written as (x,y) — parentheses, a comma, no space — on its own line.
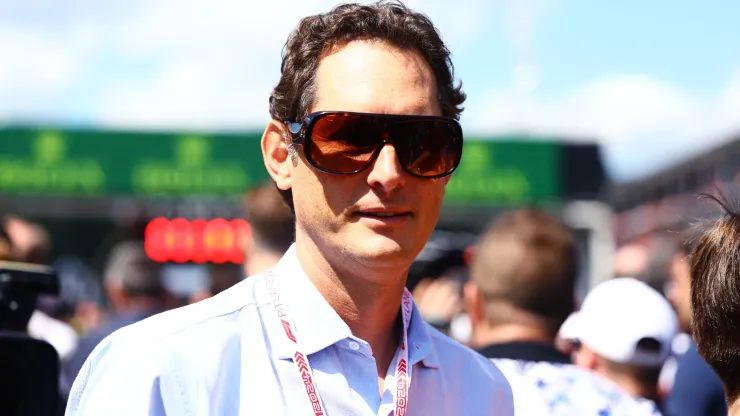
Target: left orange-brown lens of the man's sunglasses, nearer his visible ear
(344,143)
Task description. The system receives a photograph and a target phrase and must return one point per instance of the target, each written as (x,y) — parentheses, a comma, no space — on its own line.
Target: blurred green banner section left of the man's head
(122,163)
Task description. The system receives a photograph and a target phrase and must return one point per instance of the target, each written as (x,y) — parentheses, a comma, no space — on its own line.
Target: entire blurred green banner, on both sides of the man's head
(82,162)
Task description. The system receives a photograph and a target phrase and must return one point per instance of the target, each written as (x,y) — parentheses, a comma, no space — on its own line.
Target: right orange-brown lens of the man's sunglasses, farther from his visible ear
(428,147)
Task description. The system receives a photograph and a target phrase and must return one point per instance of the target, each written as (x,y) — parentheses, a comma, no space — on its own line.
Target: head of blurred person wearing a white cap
(623,332)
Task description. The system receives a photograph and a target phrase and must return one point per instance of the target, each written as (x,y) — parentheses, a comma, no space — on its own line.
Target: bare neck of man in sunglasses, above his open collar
(367,300)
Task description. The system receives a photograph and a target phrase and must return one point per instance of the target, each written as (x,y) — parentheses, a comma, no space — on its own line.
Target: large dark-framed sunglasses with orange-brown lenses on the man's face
(347,143)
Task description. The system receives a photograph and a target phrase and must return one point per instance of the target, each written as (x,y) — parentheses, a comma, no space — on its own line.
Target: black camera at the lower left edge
(29,368)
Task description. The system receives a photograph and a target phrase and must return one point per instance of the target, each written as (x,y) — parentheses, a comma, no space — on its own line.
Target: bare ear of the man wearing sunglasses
(276,156)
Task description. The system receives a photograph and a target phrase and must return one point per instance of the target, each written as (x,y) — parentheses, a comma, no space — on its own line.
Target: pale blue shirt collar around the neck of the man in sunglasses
(319,326)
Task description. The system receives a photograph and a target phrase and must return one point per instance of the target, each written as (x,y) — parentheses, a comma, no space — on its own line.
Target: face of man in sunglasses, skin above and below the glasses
(370,77)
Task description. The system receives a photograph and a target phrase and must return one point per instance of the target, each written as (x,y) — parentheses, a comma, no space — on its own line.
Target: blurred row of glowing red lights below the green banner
(200,241)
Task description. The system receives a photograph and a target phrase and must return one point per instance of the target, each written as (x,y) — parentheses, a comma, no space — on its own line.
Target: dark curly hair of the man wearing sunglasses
(387,21)
